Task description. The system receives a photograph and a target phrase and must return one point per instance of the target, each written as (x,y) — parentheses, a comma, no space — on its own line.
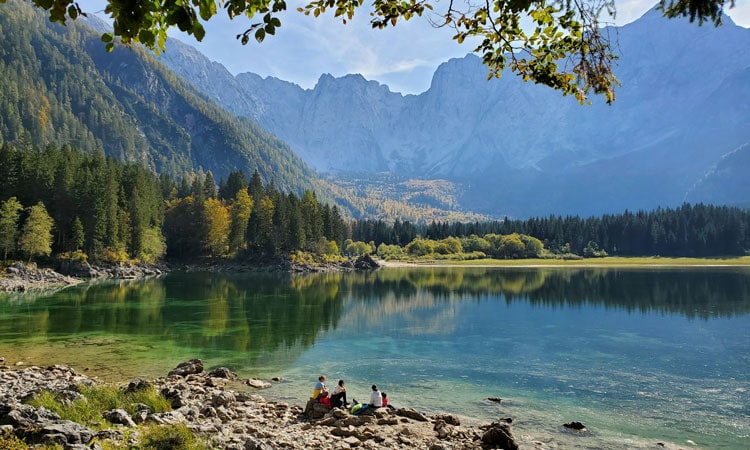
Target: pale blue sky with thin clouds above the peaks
(404,57)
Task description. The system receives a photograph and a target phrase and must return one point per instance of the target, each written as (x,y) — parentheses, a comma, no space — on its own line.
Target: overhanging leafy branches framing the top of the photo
(564,47)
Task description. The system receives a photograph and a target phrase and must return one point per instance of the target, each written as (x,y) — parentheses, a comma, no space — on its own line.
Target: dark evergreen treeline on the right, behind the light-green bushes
(690,230)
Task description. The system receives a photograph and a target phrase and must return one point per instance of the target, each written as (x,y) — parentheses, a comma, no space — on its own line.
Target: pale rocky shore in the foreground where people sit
(228,418)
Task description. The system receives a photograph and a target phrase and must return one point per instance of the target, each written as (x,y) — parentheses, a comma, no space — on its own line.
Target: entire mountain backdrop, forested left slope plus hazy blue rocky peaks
(678,131)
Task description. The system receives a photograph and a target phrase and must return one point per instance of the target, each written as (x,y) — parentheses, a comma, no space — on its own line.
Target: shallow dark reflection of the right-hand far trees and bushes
(695,294)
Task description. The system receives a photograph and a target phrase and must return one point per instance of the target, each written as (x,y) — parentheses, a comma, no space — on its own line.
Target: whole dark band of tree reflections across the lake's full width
(262,312)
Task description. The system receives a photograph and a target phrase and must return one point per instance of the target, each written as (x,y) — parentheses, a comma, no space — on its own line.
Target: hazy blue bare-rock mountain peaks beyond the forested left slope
(682,112)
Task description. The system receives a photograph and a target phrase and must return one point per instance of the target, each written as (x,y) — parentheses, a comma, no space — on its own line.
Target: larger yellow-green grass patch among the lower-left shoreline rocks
(98,399)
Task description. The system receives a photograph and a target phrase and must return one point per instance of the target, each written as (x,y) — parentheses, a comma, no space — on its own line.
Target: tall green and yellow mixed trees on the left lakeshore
(102,208)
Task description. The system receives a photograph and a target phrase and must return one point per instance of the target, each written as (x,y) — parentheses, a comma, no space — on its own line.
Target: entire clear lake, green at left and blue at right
(638,356)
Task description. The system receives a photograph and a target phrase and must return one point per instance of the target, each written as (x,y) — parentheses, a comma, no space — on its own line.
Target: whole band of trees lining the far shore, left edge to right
(63,201)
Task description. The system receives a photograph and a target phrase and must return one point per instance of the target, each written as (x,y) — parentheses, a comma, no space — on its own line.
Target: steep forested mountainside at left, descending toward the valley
(64,88)
